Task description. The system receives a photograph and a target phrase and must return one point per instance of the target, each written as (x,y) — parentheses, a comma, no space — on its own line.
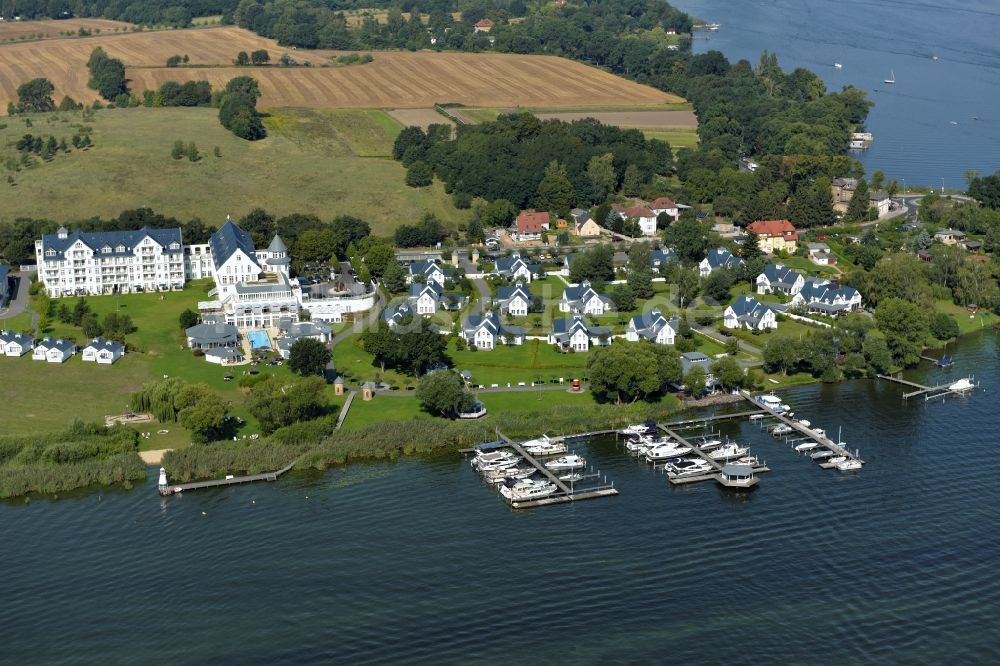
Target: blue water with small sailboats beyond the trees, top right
(914,137)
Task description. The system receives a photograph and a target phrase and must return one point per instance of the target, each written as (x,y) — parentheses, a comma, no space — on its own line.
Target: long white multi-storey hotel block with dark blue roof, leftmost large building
(109,262)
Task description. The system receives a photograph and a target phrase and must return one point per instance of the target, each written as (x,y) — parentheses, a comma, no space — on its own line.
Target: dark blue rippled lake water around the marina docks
(419,562)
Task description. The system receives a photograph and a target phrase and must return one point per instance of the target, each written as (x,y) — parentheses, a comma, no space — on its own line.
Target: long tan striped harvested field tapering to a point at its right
(420,80)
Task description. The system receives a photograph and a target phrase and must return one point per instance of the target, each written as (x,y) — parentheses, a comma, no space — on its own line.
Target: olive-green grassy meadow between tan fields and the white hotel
(313,161)
